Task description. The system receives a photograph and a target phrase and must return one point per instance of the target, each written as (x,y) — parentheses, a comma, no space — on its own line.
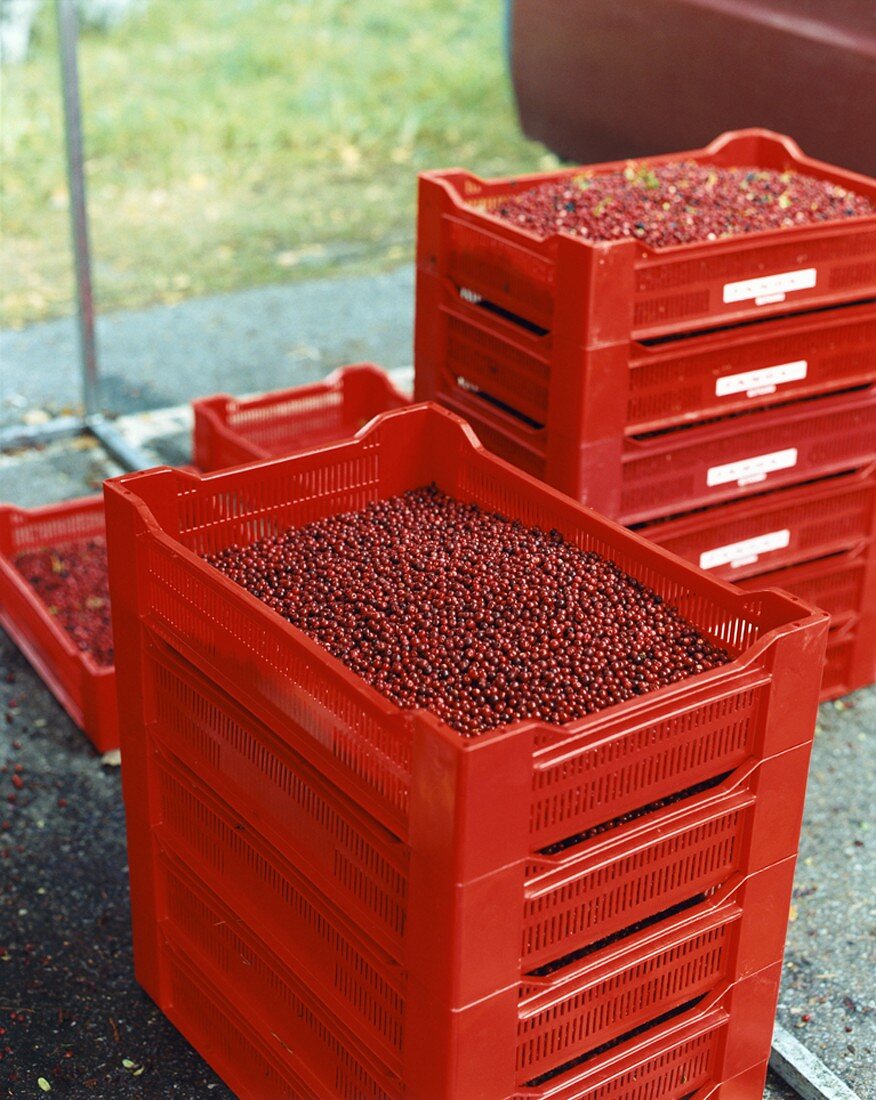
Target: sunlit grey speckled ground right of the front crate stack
(829,991)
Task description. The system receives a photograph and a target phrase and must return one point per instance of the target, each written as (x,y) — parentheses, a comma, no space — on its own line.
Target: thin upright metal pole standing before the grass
(73,129)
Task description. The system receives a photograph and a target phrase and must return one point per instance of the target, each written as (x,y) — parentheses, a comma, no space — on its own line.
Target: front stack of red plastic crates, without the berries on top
(342,897)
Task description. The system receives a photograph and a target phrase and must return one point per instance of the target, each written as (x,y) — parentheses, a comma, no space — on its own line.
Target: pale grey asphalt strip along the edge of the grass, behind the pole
(242,343)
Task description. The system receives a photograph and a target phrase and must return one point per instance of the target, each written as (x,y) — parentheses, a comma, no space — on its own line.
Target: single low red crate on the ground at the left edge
(85,689)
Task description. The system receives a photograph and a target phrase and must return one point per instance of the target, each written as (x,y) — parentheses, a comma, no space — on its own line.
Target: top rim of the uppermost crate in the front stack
(798,612)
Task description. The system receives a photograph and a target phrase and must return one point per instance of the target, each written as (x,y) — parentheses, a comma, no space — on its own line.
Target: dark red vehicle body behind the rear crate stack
(606,80)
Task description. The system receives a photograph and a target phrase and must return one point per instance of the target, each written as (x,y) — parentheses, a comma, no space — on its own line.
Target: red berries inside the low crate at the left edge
(73,584)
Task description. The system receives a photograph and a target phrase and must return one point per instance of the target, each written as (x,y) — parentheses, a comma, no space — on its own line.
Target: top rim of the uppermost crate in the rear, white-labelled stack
(853,181)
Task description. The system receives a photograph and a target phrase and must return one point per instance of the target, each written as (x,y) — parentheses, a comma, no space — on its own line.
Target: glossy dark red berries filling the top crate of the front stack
(473,617)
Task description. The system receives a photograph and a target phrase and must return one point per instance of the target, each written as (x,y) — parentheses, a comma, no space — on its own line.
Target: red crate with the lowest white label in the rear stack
(775,530)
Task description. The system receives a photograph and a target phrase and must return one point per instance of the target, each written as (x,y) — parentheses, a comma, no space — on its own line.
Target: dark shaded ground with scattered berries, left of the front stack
(71,1010)
